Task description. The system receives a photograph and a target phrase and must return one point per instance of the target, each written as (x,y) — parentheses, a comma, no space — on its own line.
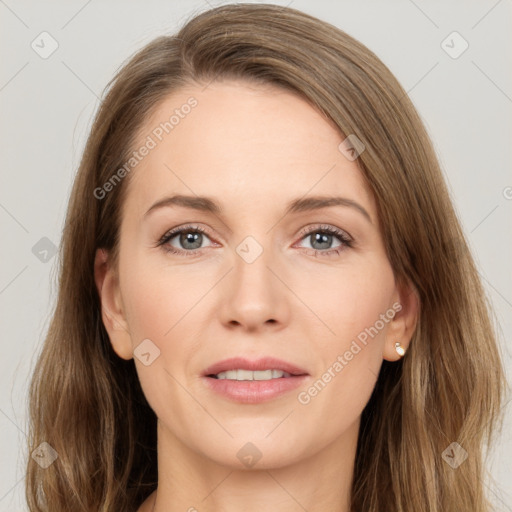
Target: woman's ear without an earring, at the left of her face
(112,314)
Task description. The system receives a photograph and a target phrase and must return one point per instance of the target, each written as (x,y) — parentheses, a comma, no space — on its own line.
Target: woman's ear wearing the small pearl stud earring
(401,328)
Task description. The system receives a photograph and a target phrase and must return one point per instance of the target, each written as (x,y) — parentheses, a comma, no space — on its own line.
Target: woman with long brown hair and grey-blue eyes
(323,344)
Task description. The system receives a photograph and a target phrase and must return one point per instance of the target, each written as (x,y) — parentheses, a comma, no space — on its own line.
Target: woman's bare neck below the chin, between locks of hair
(317,481)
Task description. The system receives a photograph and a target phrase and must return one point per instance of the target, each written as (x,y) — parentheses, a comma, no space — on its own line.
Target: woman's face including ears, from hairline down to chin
(262,278)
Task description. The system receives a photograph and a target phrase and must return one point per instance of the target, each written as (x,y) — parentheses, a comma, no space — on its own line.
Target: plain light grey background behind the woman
(47,106)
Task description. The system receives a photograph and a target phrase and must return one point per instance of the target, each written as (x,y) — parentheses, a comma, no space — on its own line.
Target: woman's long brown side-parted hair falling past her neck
(87,403)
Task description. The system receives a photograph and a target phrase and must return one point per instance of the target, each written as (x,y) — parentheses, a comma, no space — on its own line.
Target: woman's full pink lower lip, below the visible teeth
(254,391)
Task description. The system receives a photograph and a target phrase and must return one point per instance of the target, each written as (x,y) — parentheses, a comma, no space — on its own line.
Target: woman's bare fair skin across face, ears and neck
(252,149)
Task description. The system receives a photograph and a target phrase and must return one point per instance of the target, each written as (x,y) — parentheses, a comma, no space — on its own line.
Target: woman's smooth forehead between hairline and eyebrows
(243,142)
